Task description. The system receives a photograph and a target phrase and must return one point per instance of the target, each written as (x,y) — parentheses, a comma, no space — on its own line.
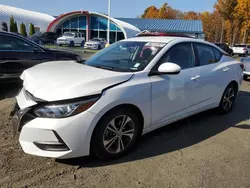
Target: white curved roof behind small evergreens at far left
(40,20)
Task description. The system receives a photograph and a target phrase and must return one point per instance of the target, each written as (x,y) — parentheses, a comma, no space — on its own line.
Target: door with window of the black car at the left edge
(17,54)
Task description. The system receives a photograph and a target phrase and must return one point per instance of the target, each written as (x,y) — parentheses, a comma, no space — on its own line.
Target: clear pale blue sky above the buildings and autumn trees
(119,8)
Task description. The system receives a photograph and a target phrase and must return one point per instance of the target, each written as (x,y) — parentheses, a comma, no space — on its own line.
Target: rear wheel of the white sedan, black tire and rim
(230,93)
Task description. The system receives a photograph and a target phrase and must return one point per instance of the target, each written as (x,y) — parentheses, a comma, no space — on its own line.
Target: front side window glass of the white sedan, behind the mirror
(180,54)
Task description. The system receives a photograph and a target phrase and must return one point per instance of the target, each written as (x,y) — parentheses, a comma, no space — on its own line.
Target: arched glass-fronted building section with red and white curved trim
(92,24)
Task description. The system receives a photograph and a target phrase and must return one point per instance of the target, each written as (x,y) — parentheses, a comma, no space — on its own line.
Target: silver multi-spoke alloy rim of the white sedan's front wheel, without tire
(118,134)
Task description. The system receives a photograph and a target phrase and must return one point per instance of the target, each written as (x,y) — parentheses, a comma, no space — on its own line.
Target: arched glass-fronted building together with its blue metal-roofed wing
(95,25)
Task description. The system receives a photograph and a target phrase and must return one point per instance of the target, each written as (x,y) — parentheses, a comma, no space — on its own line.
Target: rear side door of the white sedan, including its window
(213,74)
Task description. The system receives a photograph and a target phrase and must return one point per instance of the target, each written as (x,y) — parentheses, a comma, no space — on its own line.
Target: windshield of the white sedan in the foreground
(126,56)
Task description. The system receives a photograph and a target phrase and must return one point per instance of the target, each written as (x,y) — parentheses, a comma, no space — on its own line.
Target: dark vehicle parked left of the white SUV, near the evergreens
(44,38)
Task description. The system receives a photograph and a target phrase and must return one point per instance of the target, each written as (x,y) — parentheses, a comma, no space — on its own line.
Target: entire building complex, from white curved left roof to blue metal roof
(94,24)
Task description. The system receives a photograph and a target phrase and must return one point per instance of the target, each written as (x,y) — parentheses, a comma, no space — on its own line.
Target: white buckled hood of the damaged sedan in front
(55,81)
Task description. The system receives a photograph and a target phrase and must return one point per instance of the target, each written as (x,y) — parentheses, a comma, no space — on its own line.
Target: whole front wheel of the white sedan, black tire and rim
(104,131)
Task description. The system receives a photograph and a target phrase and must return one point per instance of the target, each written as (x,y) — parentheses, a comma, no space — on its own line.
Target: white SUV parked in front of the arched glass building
(71,39)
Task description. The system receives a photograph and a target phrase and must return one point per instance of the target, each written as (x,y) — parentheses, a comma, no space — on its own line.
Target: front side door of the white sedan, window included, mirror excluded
(174,96)
